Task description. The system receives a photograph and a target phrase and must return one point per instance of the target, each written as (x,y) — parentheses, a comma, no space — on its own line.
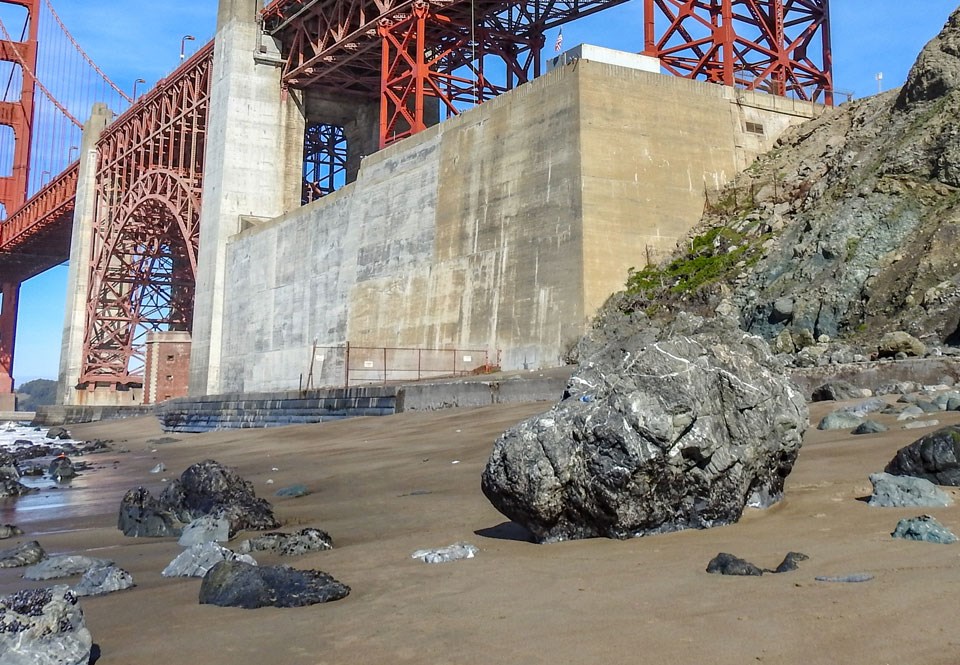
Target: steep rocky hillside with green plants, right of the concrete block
(849,228)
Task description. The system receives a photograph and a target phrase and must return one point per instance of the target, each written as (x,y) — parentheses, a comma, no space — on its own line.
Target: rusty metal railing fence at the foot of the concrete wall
(349,365)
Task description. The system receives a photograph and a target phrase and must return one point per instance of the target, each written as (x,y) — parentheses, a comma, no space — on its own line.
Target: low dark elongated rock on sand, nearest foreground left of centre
(238,584)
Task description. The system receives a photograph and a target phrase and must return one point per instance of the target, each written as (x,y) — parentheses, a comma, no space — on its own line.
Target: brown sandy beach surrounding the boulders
(384,487)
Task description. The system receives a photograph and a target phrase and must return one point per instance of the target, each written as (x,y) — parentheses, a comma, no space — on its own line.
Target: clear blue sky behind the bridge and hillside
(142,40)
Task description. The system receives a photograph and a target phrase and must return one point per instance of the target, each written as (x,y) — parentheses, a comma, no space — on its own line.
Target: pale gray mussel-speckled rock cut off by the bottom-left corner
(43,627)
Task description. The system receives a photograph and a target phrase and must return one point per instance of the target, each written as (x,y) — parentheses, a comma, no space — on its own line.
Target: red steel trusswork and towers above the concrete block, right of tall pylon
(403,51)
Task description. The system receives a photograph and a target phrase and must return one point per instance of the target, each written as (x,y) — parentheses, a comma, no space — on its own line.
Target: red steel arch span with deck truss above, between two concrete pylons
(146,225)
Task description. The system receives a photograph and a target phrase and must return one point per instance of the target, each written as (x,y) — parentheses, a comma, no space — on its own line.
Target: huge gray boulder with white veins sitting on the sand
(659,431)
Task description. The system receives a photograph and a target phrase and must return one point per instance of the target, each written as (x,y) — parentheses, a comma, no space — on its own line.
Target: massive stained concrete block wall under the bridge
(504,228)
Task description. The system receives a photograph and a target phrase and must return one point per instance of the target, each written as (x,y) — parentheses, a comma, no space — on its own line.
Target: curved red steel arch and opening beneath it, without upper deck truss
(143,274)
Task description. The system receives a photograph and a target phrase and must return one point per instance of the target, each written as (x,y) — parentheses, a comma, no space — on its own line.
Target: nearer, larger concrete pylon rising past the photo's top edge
(252,170)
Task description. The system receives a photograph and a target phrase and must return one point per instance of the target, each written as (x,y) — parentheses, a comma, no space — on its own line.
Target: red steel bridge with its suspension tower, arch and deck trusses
(407,55)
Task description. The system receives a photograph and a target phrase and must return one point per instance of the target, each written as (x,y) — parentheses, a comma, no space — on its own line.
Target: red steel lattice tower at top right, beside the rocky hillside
(777,46)
